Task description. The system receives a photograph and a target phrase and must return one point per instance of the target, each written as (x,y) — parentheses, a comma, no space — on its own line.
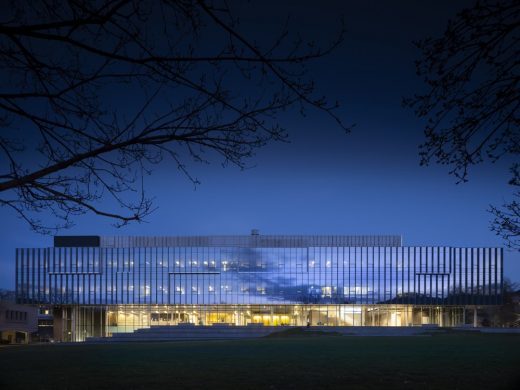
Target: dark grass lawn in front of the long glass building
(450,361)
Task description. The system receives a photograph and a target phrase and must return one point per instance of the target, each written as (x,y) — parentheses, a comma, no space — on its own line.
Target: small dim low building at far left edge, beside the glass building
(17,322)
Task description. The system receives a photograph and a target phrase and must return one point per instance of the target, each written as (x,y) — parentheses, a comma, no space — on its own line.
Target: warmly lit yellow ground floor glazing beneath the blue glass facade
(76,323)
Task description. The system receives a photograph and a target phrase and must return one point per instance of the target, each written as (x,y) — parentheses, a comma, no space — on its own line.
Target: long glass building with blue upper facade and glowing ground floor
(96,286)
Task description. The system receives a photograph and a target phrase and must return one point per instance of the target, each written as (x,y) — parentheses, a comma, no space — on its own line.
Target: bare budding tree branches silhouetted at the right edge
(473,96)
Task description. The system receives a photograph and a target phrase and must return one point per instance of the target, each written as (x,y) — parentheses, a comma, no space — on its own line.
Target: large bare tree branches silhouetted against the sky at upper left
(93,94)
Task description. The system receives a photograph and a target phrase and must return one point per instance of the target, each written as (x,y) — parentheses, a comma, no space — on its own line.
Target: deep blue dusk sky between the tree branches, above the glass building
(325,181)
